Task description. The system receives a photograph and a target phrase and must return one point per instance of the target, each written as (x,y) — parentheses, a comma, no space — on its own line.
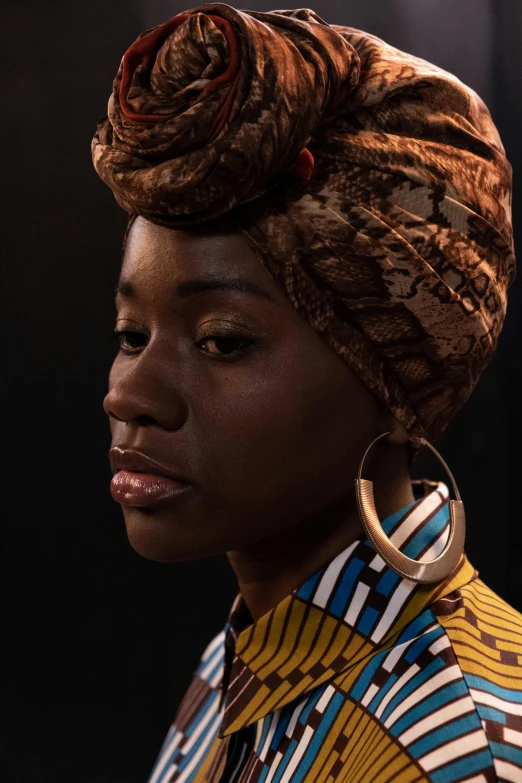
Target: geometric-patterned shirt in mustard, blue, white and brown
(360,676)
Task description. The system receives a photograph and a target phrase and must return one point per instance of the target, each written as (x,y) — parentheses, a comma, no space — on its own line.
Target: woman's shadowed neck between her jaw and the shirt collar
(271,569)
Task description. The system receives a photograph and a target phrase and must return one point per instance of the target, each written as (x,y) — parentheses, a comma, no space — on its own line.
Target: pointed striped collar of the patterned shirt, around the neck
(337,618)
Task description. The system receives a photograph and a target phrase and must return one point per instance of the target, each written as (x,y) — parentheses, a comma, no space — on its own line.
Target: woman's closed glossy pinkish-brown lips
(141,481)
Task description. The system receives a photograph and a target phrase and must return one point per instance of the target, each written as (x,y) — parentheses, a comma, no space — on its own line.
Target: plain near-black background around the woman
(99,644)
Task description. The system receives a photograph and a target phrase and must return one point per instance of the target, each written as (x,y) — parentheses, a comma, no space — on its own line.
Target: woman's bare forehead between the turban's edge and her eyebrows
(173,255)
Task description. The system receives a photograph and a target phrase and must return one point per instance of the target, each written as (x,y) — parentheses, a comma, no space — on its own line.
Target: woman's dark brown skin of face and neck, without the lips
(238,393)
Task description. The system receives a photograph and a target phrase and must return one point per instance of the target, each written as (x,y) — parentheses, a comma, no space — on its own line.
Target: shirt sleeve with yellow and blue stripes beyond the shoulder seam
(485,633)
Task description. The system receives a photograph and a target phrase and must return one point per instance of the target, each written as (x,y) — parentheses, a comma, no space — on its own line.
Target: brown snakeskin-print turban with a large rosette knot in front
(372,184)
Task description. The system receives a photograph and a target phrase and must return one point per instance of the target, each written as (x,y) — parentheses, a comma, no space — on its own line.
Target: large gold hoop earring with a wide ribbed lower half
(433,571)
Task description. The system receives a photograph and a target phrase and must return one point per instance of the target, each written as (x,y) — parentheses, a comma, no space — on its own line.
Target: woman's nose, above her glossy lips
(143,391)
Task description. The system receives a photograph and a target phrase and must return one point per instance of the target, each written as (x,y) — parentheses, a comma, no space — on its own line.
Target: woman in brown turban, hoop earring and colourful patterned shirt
(314,277)
